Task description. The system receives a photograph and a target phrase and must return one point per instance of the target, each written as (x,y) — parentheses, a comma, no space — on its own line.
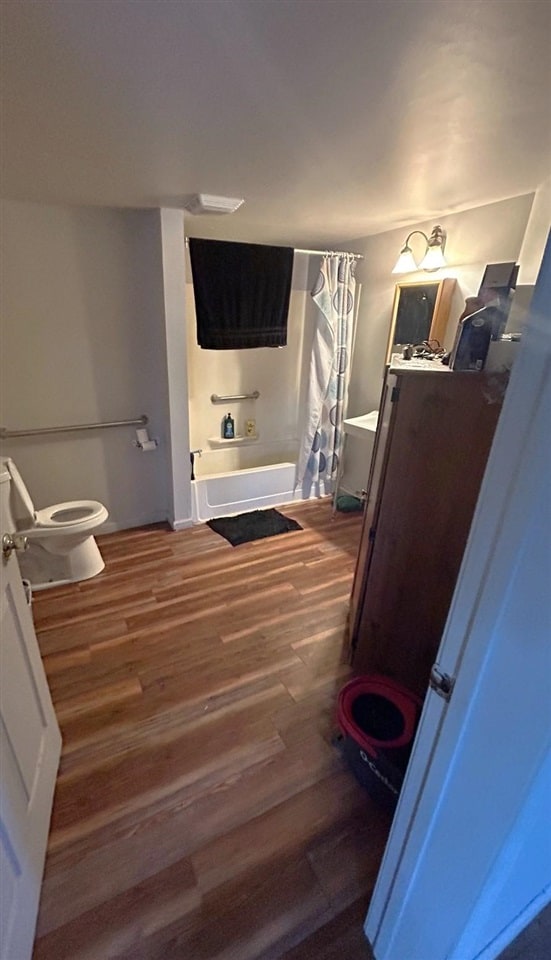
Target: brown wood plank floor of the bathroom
(201,812)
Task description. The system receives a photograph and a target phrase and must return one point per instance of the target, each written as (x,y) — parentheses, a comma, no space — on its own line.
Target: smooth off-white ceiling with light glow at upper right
(334,119)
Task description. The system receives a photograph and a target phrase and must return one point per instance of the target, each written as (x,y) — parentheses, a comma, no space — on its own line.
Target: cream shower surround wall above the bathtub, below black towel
(279,374)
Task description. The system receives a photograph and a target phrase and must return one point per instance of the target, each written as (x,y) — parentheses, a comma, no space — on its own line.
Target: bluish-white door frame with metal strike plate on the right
(468,862)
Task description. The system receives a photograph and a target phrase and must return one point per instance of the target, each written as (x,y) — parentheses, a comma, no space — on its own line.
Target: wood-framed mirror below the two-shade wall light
(420,312)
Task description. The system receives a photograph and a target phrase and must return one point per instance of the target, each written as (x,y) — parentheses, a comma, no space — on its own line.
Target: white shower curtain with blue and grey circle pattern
(321,443)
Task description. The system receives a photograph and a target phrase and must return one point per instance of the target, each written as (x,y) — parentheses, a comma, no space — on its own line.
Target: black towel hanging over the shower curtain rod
(241,292)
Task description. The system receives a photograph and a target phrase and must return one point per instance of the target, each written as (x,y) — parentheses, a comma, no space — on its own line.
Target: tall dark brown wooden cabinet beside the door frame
(433,439)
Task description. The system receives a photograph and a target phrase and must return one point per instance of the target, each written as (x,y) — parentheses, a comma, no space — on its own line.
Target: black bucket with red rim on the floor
(378,718)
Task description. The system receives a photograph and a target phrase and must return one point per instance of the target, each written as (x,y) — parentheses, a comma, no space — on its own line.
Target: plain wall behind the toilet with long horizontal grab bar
(82,329)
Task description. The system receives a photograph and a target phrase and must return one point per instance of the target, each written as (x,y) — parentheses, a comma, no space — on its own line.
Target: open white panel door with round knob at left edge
(30,746)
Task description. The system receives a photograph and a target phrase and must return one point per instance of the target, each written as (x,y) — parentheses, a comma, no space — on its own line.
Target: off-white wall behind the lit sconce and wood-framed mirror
(489,234)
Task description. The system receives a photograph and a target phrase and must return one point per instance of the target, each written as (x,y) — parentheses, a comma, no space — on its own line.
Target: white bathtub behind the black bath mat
(217,495)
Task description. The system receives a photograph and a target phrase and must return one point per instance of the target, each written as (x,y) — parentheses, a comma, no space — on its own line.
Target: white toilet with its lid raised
(60,544)
